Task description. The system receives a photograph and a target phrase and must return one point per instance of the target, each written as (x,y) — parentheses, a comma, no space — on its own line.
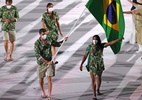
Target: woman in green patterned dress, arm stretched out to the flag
(95,65)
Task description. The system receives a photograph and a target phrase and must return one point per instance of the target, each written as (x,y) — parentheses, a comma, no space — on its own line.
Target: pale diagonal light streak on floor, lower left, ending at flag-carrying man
(12,79)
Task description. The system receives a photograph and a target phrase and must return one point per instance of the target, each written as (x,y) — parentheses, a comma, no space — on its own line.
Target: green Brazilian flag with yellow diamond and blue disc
(109,14)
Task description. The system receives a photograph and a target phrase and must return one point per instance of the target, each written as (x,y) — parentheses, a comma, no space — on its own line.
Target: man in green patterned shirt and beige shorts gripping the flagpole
(45,65)
